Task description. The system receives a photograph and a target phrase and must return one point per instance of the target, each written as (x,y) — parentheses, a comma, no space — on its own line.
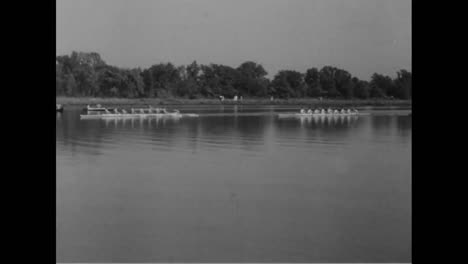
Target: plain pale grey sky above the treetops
(360,36)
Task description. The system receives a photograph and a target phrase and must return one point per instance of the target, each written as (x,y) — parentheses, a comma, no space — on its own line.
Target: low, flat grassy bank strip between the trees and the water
(83,101)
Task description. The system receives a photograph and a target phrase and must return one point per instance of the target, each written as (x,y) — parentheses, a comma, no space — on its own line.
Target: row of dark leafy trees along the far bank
(86,74)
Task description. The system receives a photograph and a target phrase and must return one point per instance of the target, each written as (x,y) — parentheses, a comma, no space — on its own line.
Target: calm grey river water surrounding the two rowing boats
(237,184)
